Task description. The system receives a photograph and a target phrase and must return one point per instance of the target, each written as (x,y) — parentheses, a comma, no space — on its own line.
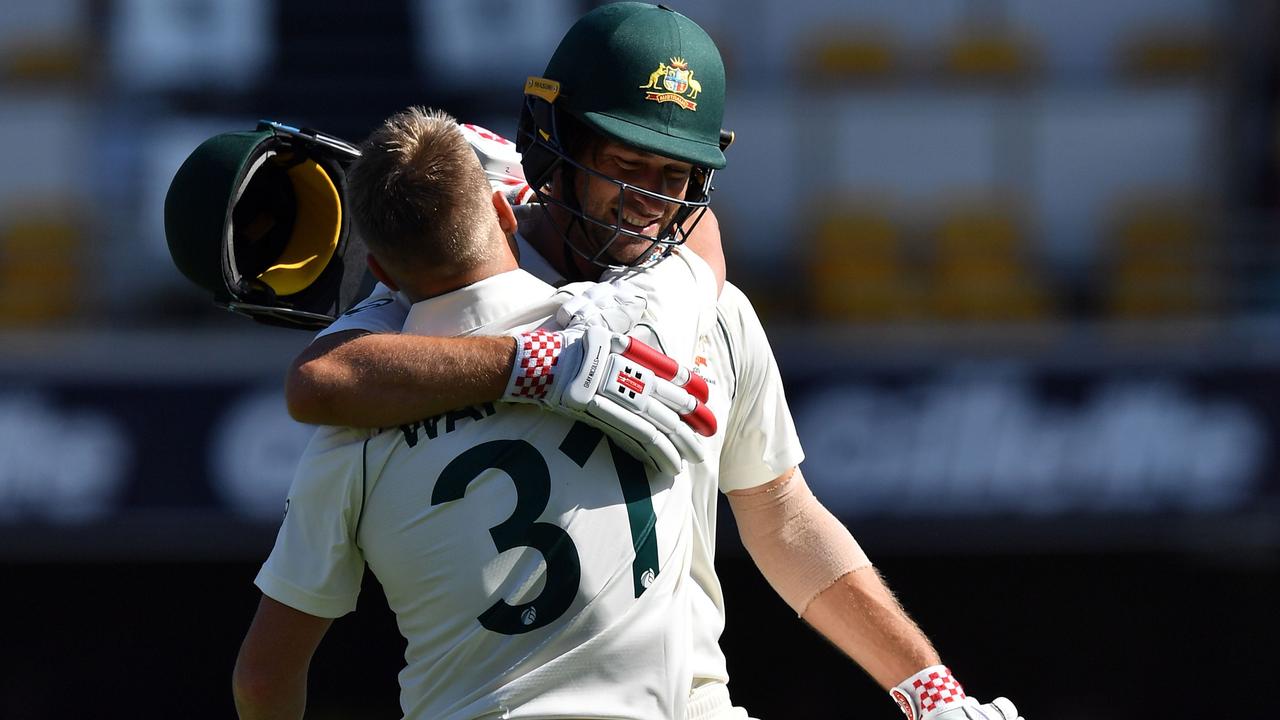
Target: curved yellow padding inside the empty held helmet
(317,229)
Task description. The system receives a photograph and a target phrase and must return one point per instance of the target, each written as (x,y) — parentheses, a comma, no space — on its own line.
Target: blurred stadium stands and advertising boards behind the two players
(1018,261)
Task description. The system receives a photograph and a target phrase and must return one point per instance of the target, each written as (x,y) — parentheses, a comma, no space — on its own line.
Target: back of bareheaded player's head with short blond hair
(419,195)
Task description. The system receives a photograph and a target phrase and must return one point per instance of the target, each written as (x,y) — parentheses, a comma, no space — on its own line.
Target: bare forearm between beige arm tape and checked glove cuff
(861,617)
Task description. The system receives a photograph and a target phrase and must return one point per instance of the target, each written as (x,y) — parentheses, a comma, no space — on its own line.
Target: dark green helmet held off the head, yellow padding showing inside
(258,220)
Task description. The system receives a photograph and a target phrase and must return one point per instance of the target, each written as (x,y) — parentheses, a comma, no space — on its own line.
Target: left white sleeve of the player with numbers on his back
(316,566)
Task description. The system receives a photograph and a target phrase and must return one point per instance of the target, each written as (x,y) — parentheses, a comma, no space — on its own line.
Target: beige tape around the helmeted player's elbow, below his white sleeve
(799,546)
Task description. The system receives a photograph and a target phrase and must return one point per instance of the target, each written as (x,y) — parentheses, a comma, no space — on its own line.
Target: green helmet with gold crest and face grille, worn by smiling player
(641,75)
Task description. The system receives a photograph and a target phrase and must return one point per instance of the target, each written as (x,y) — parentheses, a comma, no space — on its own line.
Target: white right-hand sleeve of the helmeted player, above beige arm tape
(761,440)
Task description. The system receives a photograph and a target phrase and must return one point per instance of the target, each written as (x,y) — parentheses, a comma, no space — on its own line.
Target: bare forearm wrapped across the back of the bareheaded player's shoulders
(378,381)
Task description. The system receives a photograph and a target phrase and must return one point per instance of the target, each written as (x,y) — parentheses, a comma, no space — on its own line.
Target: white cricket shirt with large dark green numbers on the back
(536,571)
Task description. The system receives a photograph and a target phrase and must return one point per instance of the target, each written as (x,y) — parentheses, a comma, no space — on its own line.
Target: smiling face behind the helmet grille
(639,215)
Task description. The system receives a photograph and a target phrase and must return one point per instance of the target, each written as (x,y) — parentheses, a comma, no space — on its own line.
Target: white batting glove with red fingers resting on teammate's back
(647,403)
